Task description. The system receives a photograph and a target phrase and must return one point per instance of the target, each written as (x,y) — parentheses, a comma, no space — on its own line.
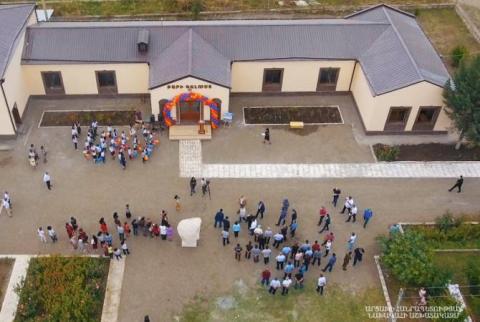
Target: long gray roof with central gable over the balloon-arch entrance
(390,46)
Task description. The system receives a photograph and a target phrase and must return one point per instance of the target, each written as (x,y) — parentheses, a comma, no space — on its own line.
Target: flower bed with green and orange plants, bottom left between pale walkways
(63,289)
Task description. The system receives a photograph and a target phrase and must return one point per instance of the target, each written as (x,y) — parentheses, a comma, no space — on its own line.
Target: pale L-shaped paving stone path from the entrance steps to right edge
(190,160)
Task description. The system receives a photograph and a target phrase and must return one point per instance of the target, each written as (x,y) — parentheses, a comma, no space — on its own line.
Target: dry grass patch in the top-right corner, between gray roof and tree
(446,31)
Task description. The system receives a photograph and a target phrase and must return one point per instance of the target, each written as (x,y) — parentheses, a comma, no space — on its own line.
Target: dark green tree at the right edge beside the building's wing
(462,97)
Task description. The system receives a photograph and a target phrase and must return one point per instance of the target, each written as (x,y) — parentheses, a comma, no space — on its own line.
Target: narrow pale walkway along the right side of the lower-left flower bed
(111,303)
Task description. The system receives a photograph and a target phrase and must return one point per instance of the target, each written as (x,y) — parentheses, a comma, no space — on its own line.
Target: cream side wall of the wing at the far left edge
(16,89)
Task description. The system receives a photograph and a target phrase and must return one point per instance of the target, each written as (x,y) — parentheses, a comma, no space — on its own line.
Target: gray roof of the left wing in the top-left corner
(12,20)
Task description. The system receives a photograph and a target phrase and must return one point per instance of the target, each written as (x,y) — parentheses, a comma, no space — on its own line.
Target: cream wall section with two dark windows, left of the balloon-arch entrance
(80,79)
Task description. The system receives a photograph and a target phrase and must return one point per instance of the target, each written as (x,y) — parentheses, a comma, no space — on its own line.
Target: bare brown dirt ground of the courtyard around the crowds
(160,276)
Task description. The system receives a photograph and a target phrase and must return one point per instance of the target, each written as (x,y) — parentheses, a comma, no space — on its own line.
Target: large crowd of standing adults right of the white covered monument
(292,258)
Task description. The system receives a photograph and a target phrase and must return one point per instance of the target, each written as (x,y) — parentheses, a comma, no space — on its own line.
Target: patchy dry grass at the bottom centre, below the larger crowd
(299,305)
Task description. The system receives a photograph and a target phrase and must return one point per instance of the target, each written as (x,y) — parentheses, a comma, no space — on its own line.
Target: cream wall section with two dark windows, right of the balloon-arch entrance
(298,76)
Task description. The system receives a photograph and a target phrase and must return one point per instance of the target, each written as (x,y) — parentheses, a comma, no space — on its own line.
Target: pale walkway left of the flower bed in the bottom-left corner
(10,301)
